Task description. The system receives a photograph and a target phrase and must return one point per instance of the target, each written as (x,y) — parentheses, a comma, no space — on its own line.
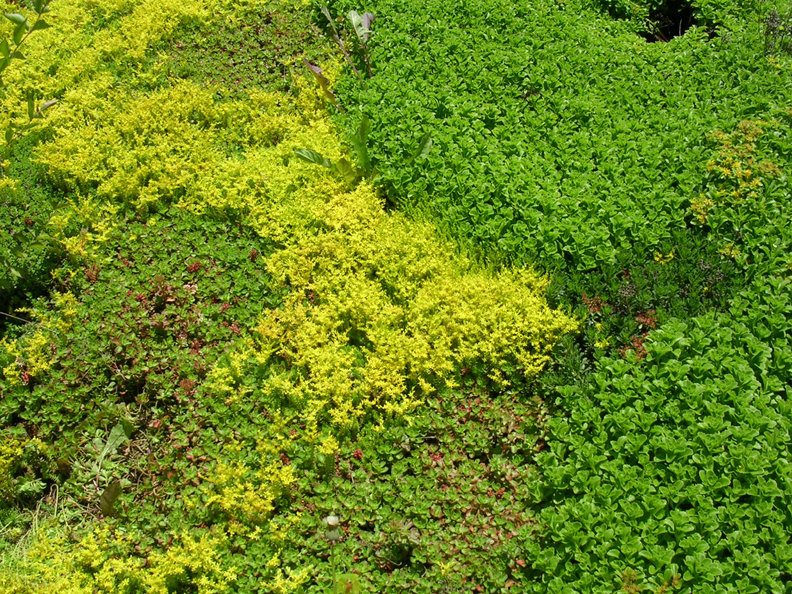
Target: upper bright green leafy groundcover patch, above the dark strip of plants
(560,137)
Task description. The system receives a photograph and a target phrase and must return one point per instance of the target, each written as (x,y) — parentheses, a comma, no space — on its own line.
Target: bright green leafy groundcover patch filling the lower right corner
(676,470)
